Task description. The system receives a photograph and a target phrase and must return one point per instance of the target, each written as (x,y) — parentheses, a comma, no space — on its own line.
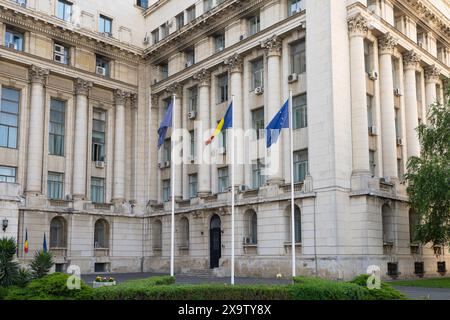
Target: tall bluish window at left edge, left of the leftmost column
(9,118)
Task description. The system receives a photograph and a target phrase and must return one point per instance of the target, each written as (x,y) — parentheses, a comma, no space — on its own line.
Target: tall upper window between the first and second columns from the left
(56,128)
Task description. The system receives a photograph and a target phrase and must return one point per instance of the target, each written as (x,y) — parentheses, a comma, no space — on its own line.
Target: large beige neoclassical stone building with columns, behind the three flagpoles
(85,84)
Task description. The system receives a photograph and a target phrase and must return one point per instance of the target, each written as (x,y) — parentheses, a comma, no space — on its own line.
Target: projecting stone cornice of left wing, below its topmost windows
(55,29)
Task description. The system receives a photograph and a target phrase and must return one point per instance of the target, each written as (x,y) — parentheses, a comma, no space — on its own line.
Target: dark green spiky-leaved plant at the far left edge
(9,268)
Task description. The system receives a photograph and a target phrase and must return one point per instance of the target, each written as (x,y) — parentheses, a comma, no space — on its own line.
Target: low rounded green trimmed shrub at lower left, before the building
(50,287)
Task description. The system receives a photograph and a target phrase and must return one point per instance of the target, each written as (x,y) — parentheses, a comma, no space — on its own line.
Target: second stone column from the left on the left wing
(81,144)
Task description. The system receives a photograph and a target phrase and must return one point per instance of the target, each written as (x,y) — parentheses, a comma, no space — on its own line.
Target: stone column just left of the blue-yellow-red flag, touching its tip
(203,152)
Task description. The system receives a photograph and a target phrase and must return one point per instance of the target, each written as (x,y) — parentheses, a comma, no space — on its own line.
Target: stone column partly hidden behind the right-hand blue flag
(272,49)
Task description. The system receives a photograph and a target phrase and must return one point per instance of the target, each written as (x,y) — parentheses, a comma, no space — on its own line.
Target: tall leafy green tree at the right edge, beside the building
(428,176)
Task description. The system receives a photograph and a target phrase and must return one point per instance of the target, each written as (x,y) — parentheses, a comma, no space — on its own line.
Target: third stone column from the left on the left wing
(119,147)
